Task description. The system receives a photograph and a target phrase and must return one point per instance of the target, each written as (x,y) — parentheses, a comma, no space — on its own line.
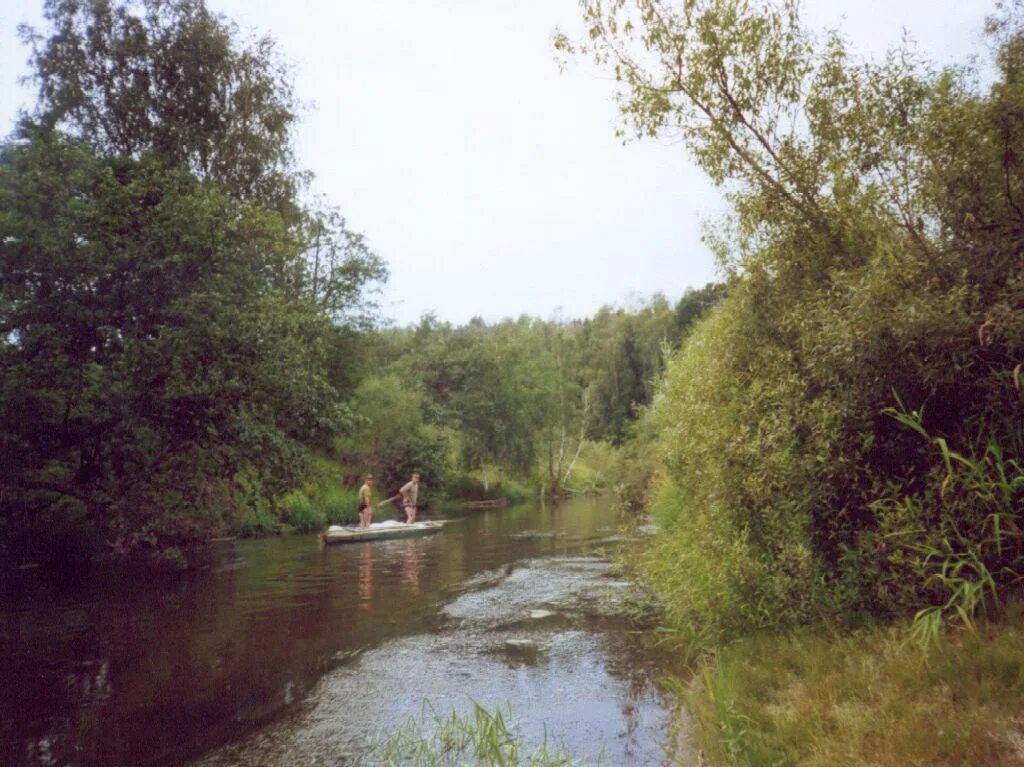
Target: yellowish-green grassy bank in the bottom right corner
(867,699)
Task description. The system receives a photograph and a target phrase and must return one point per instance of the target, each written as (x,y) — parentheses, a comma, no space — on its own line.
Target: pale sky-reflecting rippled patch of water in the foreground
(562,675)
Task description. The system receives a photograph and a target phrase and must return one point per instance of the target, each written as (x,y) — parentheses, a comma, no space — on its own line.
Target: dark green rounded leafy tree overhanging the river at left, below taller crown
(146,362)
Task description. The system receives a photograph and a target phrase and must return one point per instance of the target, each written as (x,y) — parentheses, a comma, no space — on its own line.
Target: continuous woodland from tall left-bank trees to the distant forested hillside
(189,340)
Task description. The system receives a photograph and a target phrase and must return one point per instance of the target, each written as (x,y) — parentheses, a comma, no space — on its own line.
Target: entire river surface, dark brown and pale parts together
(283,652)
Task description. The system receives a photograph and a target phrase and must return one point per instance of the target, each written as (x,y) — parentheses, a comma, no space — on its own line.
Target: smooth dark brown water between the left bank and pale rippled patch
(111,669)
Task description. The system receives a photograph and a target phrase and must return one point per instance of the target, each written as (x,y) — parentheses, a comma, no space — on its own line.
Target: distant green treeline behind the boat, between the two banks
(472,406)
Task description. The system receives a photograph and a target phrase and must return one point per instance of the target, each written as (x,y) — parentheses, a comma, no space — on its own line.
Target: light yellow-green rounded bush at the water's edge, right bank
(738,552)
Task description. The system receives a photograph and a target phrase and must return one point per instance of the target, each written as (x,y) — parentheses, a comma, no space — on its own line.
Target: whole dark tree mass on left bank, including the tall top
(172,313)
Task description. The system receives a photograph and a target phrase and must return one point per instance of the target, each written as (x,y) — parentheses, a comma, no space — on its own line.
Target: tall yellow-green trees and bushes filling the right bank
(843,436)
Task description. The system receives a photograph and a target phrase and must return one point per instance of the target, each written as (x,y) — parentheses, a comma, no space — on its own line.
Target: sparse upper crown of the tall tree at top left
(168,78)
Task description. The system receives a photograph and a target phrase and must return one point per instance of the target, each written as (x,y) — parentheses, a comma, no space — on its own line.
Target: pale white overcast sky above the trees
(491,183)
